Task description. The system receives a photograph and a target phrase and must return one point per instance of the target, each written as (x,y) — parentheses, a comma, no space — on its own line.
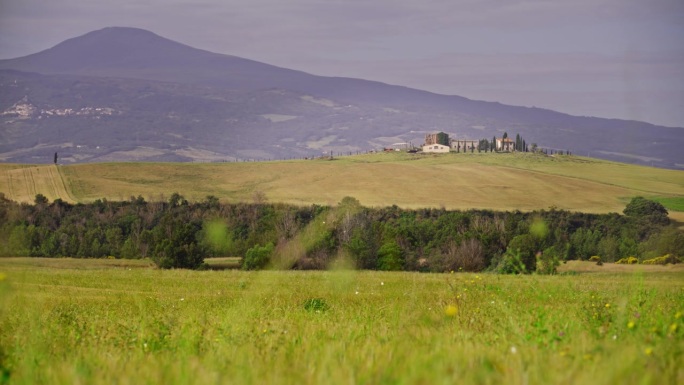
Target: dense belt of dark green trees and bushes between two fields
(175,233)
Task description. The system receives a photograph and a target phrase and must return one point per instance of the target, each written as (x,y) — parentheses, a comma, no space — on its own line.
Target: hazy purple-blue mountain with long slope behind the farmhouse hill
(128,94)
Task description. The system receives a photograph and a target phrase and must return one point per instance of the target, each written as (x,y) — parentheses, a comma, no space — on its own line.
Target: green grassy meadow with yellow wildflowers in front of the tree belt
(100,322)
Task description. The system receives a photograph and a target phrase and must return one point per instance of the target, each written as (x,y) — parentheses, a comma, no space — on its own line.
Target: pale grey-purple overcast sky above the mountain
(608,58)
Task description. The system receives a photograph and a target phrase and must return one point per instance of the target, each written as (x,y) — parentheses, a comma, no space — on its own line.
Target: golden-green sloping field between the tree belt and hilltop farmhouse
(453,181)
